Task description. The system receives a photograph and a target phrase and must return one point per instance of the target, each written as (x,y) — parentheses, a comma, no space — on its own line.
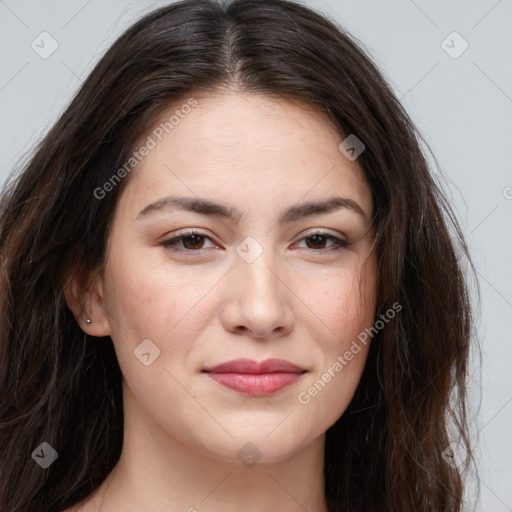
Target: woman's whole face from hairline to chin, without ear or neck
(254,282)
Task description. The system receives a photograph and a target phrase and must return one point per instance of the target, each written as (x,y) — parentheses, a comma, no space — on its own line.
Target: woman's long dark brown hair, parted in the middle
(59,385)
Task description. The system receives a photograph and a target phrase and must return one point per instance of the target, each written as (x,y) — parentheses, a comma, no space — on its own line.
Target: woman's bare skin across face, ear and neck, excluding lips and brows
(182,429)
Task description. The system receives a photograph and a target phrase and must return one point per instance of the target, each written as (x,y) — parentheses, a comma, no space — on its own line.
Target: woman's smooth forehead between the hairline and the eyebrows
(250,149)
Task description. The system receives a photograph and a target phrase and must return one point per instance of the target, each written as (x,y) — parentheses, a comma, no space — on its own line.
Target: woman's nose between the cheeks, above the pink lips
(259,298)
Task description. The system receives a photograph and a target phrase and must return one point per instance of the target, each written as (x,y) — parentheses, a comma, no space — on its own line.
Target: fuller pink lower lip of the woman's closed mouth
(256,384)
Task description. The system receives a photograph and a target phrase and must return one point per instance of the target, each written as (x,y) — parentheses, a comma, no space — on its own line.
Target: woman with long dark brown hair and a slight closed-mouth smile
(230,282)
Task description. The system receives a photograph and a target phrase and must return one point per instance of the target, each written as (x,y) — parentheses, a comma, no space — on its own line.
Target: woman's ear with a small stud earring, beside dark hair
(84,297)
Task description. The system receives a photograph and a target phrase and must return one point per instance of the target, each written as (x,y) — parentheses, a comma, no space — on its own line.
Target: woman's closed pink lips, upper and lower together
(253,378)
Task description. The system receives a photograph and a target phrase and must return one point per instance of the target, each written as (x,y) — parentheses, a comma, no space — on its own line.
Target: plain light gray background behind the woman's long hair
(461,105)
